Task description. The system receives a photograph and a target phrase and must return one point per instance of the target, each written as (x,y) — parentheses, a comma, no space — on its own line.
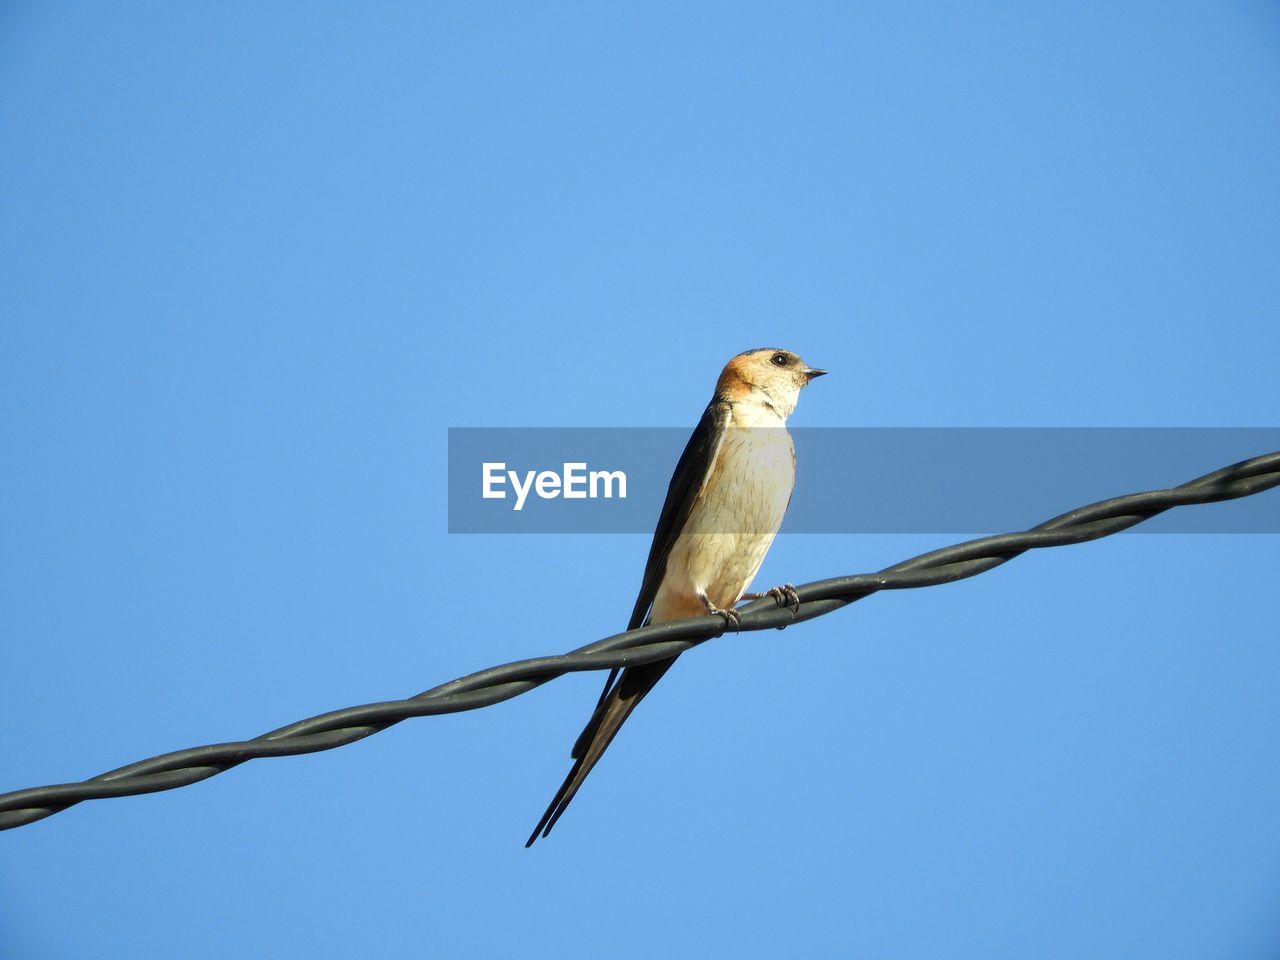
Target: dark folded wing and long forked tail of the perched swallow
(623,694)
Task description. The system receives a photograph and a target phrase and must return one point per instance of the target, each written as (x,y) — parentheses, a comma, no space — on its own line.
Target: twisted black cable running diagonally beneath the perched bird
(642,646)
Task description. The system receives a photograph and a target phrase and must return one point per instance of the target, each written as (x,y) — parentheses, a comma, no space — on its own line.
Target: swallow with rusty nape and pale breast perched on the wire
(725,505)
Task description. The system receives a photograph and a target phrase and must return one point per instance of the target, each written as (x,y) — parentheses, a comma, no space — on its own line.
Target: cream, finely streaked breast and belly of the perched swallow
(734,523)
